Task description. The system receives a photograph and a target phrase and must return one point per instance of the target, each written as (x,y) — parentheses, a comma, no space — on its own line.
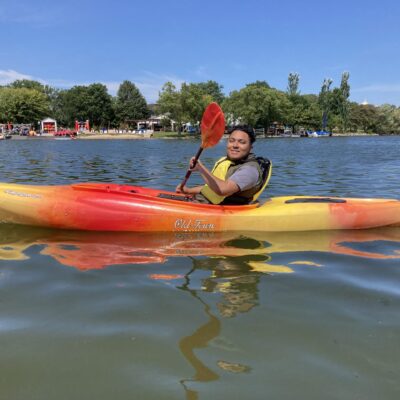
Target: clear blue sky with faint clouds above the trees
(233,42)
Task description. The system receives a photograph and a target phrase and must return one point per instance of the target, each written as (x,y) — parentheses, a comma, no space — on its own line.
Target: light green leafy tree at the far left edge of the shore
(23,105)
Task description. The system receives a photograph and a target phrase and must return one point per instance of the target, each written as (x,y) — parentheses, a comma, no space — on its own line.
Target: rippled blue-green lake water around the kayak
(193,316)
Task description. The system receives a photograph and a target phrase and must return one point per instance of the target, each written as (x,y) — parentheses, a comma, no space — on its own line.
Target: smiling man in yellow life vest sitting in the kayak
(237,178)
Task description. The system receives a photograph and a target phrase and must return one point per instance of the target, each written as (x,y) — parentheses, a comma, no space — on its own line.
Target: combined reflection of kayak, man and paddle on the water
(224,276)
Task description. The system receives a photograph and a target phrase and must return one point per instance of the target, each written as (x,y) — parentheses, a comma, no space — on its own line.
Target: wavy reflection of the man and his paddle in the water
(233,279)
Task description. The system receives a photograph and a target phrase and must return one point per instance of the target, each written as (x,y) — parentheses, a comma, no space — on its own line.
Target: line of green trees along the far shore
(257,104)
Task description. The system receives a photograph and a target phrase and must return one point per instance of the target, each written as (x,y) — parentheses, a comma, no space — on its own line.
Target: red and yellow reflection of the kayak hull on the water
(97,250)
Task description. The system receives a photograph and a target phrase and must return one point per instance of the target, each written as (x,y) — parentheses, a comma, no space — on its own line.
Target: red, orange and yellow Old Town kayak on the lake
(114,207)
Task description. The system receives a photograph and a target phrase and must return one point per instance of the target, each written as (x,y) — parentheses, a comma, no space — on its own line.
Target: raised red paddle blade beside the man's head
(212,125)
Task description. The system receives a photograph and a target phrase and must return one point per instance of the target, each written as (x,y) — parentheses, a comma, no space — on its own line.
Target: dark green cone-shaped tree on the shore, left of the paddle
(130,103)
